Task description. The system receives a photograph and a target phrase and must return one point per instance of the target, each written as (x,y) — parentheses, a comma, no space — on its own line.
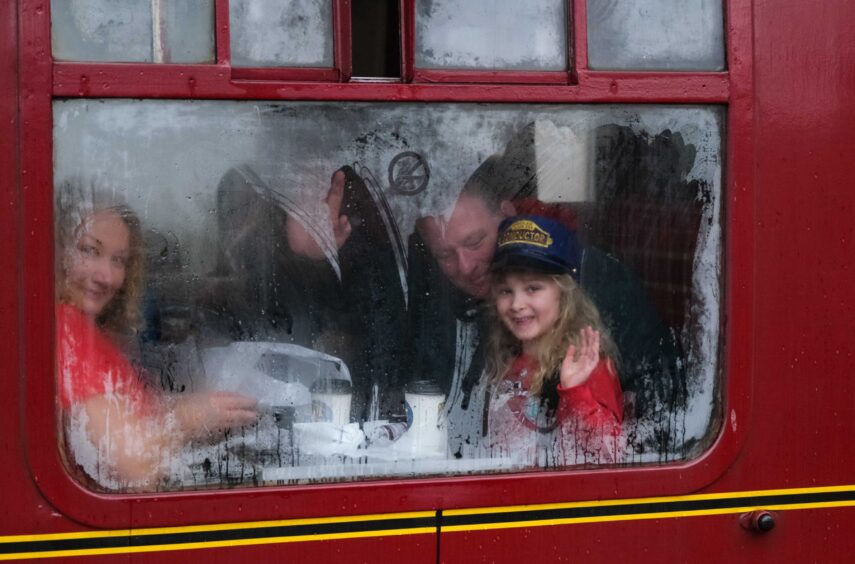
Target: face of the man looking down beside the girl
(464,245)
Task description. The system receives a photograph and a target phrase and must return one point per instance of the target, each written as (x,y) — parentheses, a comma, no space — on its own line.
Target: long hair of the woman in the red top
(76,203)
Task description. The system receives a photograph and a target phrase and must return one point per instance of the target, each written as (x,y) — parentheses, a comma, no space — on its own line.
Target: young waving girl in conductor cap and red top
(555,395)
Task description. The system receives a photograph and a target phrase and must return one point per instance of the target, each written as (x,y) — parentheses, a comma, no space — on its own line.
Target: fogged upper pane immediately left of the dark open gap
(281,33)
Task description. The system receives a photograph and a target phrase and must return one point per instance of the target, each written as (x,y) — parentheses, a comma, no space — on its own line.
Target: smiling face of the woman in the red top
(96,264)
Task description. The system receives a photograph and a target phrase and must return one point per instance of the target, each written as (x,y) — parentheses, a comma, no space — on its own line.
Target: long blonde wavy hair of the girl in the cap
(576,311)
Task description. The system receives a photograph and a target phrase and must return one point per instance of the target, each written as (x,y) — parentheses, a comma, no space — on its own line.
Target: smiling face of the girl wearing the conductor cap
(529,305)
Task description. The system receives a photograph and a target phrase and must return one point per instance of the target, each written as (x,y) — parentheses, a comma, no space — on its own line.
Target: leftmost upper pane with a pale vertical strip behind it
(146,31)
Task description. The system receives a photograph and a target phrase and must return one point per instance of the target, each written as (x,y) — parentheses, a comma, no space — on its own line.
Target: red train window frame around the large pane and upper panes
(42,80)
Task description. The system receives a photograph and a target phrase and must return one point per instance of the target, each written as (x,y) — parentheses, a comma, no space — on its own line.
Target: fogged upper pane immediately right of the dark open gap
(491,34)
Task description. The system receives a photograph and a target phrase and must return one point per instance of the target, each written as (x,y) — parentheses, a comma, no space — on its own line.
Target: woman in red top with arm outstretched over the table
(121,434)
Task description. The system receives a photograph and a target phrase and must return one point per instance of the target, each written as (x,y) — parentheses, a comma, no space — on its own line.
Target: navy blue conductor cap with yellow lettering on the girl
(537,243)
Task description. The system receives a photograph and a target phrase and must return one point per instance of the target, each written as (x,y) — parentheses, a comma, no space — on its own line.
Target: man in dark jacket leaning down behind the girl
(462,243)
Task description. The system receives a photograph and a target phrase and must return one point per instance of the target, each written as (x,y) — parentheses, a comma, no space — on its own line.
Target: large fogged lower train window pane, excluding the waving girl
(271,293)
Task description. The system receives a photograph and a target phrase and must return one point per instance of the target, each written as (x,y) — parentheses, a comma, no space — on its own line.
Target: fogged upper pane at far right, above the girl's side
(680,35)
